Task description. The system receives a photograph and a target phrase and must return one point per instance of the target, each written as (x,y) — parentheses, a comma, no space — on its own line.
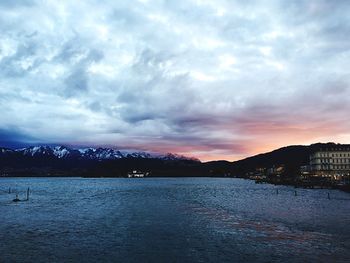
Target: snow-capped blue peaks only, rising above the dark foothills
(63,152)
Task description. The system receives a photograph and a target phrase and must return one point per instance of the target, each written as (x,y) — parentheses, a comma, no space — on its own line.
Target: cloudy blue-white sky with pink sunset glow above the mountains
(210,79)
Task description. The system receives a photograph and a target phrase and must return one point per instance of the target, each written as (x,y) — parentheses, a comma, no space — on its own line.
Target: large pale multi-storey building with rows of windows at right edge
(331,161)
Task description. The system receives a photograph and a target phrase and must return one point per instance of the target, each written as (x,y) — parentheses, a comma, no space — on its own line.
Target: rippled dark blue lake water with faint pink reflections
(171,220)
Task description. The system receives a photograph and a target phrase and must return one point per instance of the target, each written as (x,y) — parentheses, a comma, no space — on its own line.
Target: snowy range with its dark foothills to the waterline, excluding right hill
(45,160)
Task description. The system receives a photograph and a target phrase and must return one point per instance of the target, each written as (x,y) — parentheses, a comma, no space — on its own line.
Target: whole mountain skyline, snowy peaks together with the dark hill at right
(96,162)
